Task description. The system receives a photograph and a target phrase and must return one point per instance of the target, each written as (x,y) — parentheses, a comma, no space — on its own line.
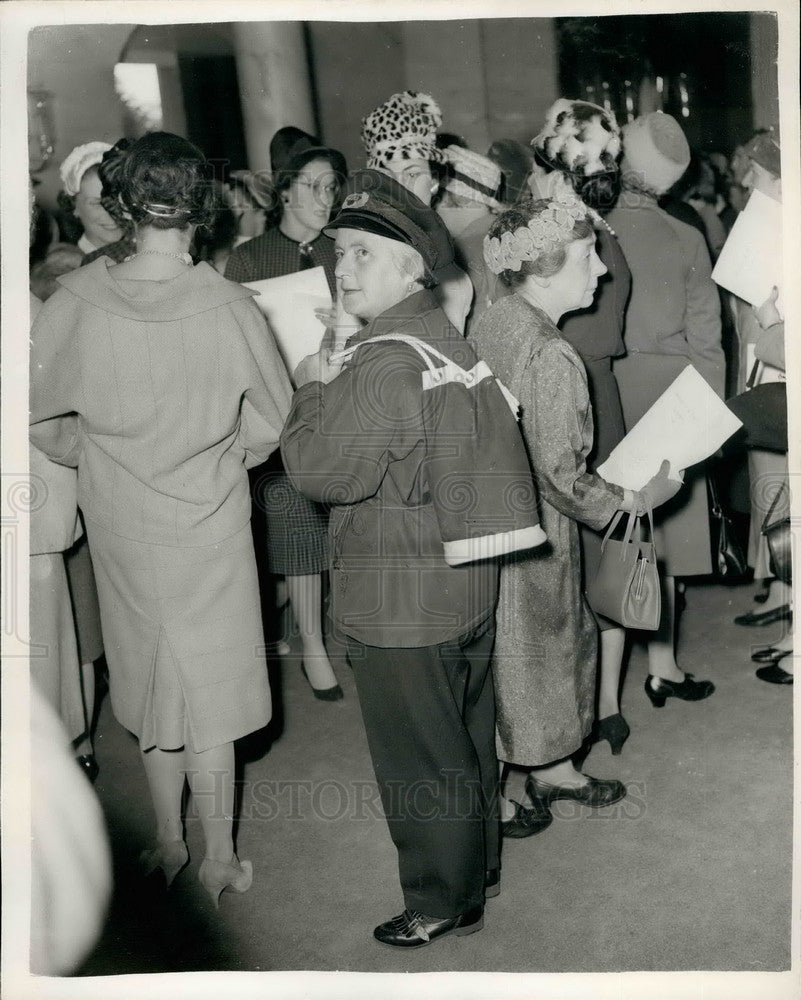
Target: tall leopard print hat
(402,128)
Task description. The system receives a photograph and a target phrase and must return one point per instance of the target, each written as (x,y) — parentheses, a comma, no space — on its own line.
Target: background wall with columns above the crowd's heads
(493,78)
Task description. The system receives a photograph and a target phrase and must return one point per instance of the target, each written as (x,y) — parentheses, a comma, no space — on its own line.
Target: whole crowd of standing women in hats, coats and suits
(497,323)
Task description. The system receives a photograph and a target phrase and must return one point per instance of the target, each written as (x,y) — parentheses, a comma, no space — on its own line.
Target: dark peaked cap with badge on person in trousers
(377,203)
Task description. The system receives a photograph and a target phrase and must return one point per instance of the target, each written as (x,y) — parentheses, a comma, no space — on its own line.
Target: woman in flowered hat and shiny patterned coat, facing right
(546,645)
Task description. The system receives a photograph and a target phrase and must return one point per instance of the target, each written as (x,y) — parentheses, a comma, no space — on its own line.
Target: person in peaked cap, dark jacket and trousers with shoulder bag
(414,444)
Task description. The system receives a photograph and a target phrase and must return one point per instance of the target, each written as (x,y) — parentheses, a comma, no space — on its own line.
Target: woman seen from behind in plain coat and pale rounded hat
(672,320)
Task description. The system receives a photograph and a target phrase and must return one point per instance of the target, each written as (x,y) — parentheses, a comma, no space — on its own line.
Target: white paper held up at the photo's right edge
(750,263)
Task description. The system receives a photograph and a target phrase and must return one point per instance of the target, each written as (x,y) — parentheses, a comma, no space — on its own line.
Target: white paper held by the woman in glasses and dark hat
(289,303)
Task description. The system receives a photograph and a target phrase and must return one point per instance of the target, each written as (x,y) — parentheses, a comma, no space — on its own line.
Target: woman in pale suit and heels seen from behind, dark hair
(178,388)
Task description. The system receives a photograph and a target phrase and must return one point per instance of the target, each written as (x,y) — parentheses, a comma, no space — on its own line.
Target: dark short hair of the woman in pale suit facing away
(165,182)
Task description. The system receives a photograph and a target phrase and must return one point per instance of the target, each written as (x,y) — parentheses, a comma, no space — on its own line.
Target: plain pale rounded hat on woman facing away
(656,150)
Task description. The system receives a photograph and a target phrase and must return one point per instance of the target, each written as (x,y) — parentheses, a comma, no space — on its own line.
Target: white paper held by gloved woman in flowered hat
(687,424)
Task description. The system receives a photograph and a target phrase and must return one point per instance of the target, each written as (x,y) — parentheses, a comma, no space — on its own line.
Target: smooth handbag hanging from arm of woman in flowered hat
(626,587)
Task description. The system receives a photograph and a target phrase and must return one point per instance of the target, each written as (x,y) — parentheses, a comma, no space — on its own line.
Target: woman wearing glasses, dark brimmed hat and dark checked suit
(306,179)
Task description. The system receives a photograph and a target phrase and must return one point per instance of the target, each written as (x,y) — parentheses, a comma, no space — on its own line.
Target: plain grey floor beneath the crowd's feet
(692,871)
